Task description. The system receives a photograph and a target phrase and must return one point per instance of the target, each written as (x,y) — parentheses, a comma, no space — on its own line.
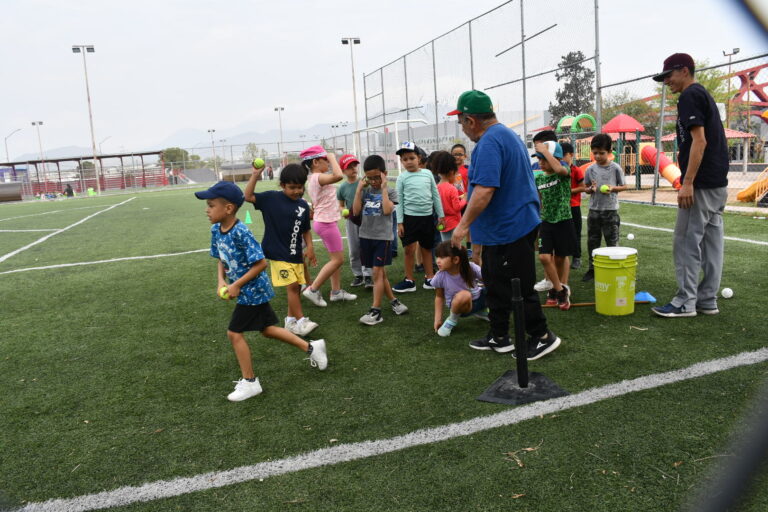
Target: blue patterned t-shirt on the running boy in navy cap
(238,250)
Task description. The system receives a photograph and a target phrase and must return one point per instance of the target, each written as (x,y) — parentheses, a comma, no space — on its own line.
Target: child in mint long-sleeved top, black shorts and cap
(417,192)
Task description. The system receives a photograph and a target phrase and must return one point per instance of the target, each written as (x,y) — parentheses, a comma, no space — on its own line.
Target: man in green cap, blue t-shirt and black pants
(502,216)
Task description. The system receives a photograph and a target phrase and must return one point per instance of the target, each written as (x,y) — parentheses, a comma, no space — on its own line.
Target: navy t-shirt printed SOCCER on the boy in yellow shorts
(285,220)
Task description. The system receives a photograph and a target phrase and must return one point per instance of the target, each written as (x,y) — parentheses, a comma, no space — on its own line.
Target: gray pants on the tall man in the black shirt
(698,248)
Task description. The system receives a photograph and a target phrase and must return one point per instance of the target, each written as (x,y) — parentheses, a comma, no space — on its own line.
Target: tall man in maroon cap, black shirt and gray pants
(703,161)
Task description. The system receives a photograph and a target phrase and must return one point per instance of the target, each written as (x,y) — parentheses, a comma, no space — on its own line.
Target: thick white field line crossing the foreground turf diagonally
(354,451)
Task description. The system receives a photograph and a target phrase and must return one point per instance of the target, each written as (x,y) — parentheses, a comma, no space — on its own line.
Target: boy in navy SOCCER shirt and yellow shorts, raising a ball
(286,223)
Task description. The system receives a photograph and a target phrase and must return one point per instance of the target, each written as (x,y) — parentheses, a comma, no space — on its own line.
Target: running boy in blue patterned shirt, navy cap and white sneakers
(242,264)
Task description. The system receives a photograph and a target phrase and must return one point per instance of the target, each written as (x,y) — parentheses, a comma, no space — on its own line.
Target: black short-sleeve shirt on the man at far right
(696,107)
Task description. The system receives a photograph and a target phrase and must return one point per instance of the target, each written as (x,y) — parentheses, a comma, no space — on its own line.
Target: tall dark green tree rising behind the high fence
(577,94)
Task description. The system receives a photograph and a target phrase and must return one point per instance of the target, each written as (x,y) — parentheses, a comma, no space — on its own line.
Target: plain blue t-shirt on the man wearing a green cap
(500,160)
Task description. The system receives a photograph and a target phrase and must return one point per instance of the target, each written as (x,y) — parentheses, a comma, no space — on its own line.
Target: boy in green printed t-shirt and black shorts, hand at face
(557,237)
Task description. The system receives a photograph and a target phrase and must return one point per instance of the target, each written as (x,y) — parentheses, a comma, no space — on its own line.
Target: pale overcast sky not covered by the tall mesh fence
(162,66)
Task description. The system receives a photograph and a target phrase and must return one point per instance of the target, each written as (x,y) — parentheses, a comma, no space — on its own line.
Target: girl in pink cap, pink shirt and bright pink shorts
(326,215)
